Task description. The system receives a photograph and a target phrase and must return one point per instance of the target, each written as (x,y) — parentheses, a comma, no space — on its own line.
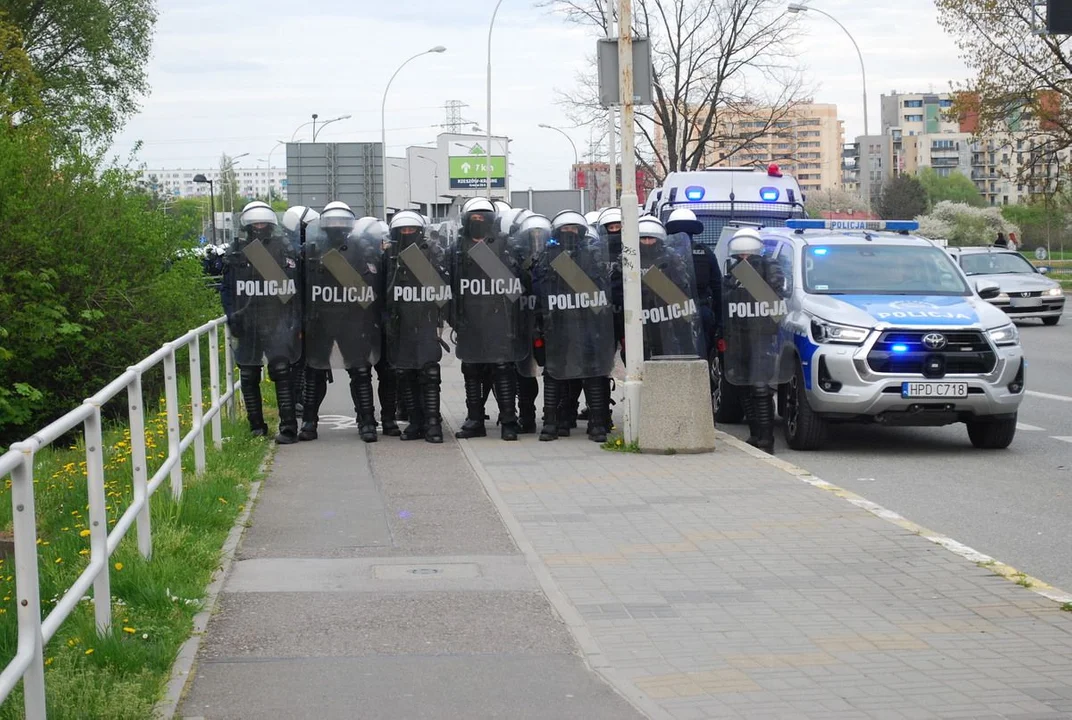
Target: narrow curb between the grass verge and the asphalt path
(183,669)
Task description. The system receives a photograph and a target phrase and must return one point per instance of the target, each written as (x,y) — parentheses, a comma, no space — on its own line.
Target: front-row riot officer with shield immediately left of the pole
(575,322)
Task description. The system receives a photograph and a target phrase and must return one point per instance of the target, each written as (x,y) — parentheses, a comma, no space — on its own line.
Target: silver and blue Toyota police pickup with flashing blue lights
(882,326)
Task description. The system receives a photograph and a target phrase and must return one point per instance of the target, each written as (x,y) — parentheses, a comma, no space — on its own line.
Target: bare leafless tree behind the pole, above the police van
(724,76)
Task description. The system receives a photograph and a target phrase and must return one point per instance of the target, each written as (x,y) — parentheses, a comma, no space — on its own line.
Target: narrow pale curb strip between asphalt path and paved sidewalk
(592,654)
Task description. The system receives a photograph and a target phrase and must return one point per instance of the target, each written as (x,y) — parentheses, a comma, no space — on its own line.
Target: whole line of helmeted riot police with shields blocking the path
(525,295)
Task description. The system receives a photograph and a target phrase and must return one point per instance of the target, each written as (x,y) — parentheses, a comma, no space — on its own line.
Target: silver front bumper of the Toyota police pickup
(867,395)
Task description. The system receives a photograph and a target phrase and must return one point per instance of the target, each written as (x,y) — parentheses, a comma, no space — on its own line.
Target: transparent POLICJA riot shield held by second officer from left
(344,295)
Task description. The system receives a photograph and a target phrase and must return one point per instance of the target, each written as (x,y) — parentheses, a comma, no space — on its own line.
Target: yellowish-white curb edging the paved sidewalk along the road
(967,553)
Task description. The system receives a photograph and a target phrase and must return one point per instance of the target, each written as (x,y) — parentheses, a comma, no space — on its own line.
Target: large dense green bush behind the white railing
(92,278)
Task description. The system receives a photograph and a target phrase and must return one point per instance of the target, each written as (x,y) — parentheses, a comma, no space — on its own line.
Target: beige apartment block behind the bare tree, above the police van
(807,144)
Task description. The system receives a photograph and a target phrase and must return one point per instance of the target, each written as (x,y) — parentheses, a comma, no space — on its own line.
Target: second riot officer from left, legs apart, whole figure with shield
(344,309)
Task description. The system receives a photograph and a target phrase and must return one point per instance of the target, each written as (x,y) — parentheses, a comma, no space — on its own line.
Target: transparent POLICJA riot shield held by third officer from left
(418,299)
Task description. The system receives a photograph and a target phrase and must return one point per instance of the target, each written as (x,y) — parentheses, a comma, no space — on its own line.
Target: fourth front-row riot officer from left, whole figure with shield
(487,318)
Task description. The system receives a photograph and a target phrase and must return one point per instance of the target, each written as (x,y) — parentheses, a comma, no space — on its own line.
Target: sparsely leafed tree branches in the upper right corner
(1022,83)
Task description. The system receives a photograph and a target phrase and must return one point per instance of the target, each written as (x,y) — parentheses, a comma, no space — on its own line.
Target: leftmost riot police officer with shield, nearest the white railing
(263,301)
